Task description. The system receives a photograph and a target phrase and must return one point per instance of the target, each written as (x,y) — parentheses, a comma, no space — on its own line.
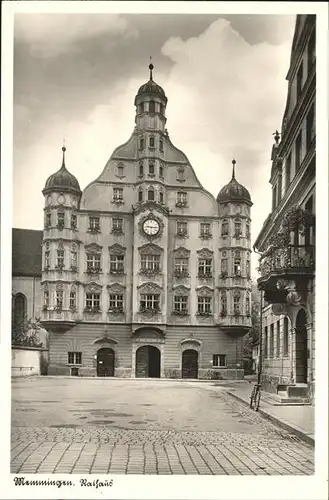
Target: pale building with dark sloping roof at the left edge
(26,276)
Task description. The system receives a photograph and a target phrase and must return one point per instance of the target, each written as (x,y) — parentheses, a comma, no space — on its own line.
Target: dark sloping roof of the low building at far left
(26,252)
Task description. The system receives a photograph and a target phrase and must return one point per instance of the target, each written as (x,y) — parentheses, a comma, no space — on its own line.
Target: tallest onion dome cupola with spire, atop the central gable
(150,102)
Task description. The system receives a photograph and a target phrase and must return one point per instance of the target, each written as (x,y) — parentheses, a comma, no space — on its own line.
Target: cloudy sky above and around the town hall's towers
(76,76)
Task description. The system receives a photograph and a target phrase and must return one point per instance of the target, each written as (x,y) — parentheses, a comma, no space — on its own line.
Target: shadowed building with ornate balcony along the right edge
(287,239)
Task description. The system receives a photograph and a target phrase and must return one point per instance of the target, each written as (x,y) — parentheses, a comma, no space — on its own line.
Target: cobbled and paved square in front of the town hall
(101,426)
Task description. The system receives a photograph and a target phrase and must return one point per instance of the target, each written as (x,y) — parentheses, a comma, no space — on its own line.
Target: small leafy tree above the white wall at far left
(24,331)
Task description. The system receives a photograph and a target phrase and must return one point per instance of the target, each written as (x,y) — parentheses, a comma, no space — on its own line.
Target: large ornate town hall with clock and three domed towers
(146,274)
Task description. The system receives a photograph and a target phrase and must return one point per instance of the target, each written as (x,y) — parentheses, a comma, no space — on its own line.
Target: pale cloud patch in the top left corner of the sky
(50,35)
